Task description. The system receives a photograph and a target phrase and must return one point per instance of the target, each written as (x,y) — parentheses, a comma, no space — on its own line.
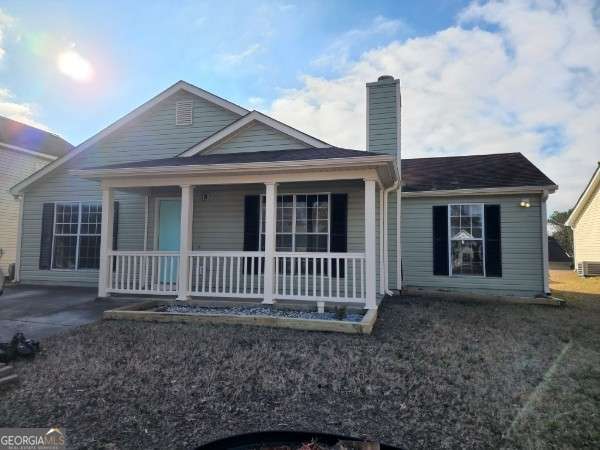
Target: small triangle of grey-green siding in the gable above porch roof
(256,137)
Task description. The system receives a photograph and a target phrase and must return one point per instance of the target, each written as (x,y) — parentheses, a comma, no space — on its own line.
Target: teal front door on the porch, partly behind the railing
(169,219)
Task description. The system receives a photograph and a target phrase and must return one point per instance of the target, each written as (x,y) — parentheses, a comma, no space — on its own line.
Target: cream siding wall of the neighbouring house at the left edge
(14,167)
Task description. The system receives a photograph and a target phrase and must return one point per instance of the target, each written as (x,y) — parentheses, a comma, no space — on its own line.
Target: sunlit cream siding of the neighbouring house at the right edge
(587,232)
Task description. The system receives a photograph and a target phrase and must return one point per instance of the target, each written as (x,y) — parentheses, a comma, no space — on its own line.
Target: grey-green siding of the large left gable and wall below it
(152,135)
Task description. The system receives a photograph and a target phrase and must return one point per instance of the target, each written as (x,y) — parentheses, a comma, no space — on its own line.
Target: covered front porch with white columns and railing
(299,234)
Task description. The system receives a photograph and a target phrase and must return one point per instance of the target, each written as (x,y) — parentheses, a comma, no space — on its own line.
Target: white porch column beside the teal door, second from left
(185,240)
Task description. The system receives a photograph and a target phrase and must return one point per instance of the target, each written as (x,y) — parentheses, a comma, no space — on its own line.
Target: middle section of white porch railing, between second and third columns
(226,274)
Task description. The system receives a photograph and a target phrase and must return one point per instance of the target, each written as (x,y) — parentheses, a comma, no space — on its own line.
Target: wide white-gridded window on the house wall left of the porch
(76,235)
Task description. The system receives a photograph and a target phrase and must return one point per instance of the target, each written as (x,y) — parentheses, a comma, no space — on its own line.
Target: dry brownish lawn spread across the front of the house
(436,373)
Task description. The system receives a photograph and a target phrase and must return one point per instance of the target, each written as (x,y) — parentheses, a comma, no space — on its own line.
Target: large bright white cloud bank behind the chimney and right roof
(510,76)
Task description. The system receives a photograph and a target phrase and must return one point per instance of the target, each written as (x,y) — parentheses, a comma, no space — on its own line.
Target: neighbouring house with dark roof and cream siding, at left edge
(23,151)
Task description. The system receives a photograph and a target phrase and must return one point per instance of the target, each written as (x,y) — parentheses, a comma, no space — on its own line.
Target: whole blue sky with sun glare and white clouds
(476,77)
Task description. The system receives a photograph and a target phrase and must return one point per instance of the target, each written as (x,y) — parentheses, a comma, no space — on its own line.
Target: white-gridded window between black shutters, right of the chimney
(466,239)
